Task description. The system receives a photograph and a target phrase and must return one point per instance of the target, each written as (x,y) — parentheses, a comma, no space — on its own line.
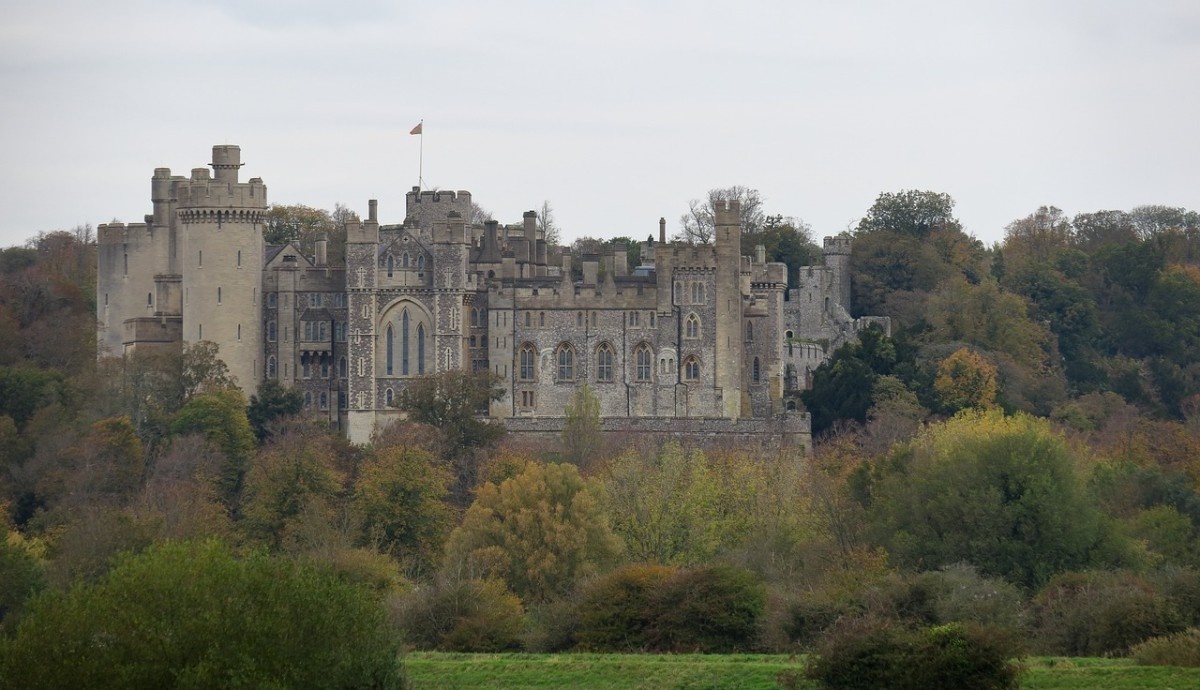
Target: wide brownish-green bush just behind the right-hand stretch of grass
(1101,614)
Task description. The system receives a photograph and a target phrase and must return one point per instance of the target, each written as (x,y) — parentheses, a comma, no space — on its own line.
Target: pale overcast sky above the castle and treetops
(616,112)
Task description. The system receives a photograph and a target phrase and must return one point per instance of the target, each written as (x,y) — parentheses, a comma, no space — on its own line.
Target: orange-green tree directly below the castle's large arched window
(400,500)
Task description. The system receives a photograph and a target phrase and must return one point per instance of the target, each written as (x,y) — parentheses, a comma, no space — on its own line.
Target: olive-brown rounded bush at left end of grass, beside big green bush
(463,616)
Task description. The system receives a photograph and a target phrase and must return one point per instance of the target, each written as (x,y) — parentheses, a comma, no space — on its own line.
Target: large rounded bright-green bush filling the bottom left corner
(191,615)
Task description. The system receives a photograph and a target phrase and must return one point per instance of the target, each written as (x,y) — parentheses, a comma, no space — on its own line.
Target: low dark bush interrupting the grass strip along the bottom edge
(875,653)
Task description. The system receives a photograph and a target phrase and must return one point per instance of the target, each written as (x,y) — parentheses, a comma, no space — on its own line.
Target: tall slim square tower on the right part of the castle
(729,307)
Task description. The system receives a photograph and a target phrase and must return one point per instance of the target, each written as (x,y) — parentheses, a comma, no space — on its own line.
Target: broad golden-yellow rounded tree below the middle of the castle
(541,532)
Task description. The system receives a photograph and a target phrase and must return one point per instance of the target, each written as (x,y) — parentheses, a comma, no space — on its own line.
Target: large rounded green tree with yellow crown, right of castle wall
(997,493)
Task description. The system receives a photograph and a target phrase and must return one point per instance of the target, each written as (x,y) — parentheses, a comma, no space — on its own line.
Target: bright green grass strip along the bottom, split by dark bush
(748,671)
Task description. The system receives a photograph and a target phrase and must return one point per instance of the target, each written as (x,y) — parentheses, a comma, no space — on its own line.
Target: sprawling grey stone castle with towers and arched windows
(699,339)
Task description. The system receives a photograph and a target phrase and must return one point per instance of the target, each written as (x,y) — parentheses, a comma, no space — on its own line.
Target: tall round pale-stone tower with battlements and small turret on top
(221,259)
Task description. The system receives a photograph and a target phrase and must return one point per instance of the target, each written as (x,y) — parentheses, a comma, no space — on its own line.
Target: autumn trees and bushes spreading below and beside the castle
(974,488)
